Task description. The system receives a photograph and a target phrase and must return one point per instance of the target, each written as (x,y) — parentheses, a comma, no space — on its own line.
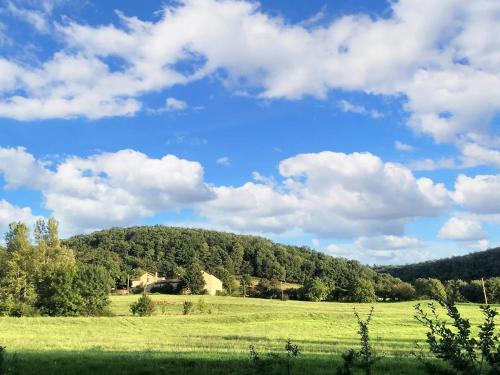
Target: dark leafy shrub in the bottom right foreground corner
(456,346)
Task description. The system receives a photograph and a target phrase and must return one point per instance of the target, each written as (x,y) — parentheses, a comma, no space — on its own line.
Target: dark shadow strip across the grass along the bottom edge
(145,363)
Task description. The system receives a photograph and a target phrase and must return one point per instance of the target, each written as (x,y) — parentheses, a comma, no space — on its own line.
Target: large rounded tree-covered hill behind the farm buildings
(163,249)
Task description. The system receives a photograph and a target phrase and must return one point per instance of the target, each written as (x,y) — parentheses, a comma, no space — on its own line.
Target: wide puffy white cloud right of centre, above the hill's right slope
(332,195)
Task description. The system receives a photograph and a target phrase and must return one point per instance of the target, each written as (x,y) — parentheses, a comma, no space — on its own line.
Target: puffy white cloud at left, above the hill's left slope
(107,189)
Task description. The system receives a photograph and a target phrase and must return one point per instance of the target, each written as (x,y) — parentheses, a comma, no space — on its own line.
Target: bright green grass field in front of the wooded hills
(213,342)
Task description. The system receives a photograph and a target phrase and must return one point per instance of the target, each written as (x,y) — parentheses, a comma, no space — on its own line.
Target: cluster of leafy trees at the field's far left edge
(45,278)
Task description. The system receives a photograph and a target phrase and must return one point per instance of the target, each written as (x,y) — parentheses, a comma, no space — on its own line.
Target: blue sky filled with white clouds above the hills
(364,129)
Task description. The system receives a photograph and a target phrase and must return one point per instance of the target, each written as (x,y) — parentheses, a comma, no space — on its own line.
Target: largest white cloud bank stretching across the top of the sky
(443,56)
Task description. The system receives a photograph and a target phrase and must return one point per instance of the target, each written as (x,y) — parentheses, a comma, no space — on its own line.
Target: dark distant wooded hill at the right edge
(467,267)
